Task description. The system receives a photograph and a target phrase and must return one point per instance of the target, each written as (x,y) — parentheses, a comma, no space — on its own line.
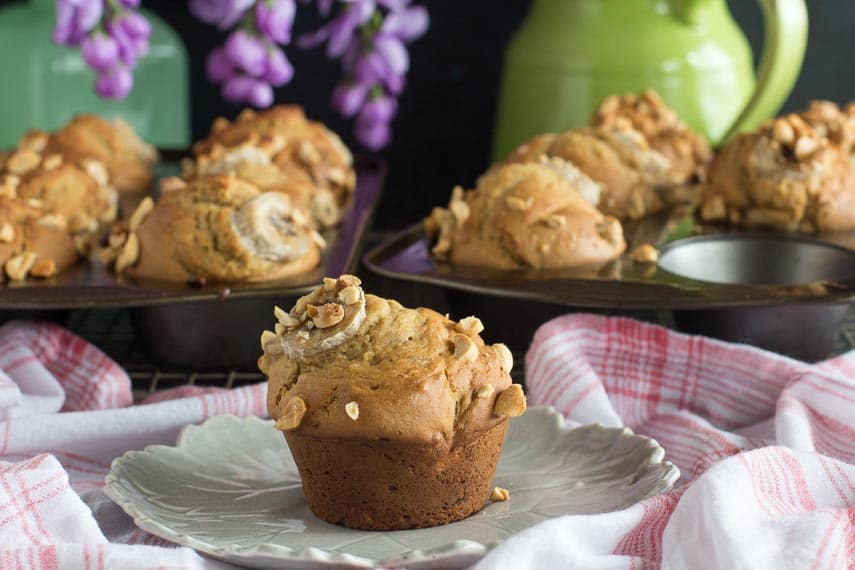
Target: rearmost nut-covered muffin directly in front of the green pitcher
(688,152)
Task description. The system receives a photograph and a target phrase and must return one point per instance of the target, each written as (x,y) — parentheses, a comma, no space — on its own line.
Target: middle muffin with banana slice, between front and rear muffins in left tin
(252,160)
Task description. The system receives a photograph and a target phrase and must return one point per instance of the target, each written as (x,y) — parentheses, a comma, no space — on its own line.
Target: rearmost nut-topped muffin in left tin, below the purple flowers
(299,146)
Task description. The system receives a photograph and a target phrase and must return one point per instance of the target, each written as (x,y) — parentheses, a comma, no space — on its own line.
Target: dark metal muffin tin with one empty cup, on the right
(781,292)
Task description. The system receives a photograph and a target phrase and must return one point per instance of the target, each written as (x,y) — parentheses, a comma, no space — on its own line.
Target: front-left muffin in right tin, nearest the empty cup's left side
(526,215)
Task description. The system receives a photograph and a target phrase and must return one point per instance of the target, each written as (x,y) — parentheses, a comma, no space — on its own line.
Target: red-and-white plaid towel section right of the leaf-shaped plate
(765,444)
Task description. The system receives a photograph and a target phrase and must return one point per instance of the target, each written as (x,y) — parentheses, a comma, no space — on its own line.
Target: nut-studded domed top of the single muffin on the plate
(343,364)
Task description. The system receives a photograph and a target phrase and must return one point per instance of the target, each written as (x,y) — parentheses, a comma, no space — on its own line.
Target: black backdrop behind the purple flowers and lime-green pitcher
(443,130)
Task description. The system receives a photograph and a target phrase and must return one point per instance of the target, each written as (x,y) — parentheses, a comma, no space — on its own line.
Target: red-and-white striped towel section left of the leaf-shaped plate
(53,512)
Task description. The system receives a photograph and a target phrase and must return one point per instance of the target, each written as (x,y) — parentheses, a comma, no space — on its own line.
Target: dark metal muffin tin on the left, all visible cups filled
(210,326)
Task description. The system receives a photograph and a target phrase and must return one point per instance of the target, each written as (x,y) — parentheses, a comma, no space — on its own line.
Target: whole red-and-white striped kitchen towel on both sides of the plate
(765,445)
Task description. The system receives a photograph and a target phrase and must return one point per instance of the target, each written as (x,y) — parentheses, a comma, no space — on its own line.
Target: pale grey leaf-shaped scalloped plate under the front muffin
(230,489)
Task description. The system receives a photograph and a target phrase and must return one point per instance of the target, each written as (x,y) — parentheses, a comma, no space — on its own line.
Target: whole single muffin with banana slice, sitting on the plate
(395,416)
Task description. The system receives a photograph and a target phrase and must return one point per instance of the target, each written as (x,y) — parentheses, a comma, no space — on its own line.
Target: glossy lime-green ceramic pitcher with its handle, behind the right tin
(570,54)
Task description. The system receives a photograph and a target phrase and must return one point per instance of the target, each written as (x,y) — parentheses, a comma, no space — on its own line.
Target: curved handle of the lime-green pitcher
(786,31)
